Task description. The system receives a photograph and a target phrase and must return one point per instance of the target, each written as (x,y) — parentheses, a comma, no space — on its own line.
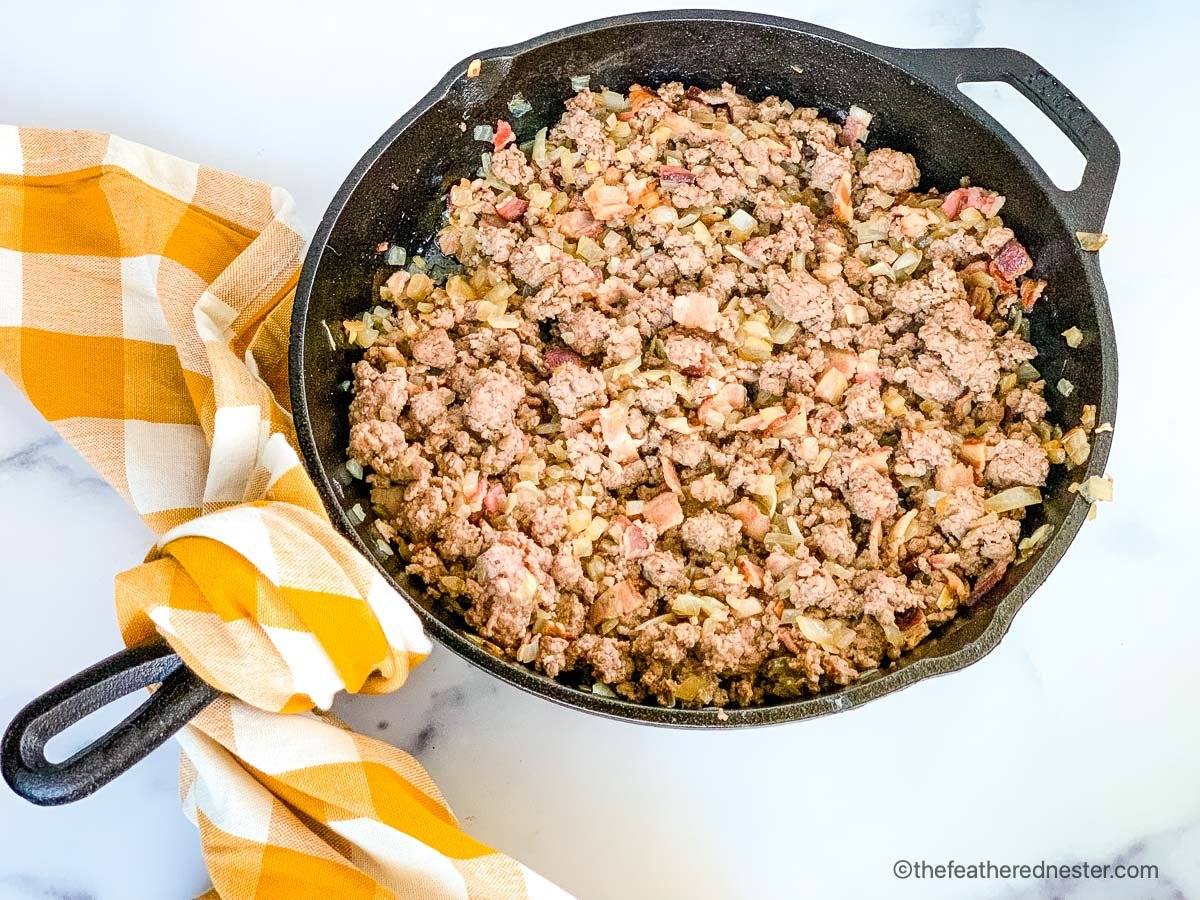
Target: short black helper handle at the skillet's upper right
(1089,203)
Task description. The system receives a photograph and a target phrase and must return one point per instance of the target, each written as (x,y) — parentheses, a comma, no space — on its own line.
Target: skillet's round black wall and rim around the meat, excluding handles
(395,194)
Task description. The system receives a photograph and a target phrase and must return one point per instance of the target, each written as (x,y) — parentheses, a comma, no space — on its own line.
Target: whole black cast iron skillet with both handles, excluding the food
(395,194)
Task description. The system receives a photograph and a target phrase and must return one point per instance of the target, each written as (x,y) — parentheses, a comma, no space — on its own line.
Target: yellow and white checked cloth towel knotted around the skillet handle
(145,307)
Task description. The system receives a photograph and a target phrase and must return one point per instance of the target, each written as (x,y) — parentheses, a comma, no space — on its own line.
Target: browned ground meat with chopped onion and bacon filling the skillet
(718,407)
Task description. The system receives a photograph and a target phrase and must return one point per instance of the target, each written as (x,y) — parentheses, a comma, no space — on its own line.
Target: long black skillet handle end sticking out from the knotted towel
(181,697)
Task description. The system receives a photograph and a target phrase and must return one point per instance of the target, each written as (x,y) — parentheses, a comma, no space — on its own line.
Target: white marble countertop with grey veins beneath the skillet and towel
(1077,741)
